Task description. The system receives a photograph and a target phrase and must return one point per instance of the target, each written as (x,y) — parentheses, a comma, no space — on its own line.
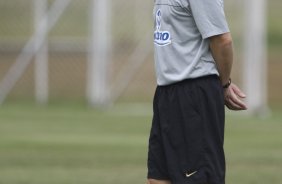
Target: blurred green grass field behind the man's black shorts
(69,144)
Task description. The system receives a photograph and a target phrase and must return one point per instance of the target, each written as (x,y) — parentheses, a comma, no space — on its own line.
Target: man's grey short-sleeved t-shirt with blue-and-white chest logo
(180,38)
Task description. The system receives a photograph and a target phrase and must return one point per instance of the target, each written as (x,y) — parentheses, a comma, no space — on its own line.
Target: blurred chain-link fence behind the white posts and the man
(131,24)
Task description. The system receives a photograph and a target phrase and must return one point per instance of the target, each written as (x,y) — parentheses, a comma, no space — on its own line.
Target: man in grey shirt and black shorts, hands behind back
(193,60)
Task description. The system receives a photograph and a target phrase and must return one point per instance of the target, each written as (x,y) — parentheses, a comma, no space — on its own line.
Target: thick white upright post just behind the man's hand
(255,56)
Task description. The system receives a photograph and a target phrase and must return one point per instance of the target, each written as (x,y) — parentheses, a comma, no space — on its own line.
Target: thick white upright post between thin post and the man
(99,53)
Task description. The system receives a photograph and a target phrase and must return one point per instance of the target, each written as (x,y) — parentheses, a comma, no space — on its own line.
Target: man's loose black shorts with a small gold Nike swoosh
(186,140)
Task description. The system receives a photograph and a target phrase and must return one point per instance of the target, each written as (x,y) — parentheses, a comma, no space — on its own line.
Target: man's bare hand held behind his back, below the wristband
(233,96)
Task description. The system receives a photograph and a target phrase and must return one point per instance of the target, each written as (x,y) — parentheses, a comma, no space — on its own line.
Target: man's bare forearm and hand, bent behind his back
(222,50)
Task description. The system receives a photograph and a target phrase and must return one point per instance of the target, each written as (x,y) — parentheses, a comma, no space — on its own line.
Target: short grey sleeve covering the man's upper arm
(209,17)
